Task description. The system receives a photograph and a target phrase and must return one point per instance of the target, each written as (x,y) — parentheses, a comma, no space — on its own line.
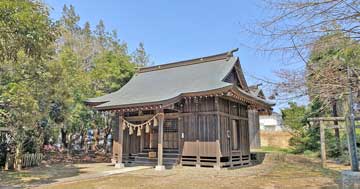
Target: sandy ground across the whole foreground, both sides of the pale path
(268,170)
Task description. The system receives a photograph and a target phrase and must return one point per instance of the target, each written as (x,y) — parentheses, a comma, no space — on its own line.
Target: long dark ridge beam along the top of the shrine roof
(204,59)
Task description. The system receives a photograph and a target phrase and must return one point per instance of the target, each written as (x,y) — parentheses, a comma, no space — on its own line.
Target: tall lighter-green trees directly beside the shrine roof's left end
(92,63)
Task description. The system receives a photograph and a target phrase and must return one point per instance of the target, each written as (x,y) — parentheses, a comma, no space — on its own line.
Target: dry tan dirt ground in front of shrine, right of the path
(274,172)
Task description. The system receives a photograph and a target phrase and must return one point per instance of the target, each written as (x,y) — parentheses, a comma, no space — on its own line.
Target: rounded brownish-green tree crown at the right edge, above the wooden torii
(326,77)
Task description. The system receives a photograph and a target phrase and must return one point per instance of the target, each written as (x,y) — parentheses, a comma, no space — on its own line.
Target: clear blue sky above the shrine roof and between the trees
(179,30)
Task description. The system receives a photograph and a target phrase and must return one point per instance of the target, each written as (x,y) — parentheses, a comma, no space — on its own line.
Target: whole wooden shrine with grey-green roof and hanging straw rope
(191,113)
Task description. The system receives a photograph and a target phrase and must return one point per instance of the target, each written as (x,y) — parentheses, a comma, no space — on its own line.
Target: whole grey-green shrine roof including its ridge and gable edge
(167,83)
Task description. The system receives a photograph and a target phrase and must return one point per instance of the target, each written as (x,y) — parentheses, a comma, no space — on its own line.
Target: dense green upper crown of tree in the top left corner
(25,27)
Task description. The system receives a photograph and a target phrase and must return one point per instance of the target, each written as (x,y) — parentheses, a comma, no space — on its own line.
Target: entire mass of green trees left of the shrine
(48,68)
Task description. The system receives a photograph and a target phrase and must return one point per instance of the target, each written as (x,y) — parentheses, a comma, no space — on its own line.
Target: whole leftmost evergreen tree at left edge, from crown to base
(25,51)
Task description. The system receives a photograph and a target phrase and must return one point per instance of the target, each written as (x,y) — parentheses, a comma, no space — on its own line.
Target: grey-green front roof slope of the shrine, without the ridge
(164,84)
